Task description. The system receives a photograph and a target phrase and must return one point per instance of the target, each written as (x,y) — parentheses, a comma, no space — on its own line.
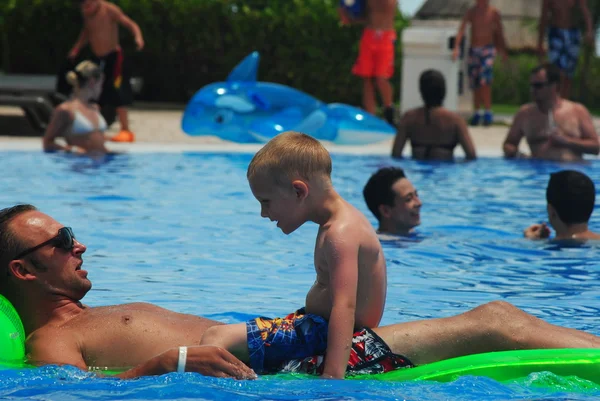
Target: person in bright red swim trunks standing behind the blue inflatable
(375,62)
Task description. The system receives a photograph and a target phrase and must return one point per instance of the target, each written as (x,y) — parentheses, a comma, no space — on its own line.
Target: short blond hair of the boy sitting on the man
(288,156)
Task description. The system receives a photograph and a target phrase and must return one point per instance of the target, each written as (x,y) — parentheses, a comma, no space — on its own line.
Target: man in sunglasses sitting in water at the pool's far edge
(555,128)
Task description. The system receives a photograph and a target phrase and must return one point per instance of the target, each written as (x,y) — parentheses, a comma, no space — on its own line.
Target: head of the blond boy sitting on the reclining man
(282,174)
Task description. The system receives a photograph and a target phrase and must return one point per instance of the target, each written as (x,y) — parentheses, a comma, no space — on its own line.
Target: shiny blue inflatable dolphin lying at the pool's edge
(246,111)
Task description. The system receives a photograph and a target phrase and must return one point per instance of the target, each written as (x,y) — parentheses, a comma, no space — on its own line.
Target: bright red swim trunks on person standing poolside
(376,54)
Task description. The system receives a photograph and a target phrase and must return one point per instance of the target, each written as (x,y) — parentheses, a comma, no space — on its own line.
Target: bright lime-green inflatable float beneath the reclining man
(501,366)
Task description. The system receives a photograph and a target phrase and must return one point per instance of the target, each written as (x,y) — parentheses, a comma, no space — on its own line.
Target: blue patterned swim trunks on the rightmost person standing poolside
(563,48)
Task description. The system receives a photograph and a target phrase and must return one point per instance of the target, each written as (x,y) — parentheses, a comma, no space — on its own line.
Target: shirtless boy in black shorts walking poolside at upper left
(101,21)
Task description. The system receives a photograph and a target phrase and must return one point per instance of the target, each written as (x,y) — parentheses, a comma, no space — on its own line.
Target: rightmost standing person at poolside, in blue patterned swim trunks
(559,18)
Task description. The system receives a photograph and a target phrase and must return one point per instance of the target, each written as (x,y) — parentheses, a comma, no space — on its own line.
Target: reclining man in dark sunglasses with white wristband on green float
(41,266)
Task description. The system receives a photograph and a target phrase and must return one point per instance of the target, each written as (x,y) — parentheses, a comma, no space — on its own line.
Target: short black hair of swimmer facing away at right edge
(572,194)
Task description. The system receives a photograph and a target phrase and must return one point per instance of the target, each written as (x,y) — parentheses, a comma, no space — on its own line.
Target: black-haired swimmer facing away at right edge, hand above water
(570,198)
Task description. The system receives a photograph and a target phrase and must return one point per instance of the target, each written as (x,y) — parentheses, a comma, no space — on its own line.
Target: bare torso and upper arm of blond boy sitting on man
(346,241)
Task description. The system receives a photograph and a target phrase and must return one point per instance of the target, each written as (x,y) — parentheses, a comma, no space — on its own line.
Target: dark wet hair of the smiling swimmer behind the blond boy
(378,190)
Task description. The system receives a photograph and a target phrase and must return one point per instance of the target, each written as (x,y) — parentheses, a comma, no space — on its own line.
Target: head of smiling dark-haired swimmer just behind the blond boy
(394,201)
